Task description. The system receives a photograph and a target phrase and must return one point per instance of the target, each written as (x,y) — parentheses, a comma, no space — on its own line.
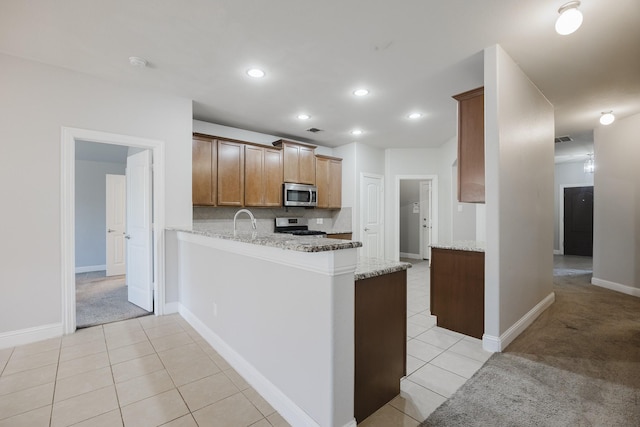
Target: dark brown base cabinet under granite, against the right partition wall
(457,290)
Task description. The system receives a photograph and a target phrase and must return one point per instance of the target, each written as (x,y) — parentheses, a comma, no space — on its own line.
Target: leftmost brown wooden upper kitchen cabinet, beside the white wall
(204,170)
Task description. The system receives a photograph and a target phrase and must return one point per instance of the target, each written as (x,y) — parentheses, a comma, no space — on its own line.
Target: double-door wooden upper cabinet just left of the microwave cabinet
(262,176)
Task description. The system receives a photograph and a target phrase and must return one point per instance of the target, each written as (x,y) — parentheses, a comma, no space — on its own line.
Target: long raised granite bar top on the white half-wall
(277,240)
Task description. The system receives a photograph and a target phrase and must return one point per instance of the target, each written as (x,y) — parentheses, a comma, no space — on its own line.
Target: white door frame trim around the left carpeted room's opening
(69,136)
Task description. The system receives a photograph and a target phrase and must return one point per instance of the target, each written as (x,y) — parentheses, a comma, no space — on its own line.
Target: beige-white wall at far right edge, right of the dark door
(616,228)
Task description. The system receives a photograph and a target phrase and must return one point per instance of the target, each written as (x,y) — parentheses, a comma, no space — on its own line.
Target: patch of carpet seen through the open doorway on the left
(101,299)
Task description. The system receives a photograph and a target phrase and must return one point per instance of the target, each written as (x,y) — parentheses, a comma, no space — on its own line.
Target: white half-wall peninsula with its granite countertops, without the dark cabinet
(281,310)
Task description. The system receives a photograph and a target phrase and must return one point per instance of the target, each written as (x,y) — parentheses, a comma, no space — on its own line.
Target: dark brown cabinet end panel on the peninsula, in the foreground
(380,341)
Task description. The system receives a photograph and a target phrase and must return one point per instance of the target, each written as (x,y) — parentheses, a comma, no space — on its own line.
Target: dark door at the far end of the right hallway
(577,221)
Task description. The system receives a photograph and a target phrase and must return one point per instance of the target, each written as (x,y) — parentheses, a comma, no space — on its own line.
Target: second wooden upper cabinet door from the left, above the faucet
(230,173)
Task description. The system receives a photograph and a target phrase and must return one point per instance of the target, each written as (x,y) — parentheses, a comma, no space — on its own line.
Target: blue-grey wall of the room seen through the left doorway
(91,206)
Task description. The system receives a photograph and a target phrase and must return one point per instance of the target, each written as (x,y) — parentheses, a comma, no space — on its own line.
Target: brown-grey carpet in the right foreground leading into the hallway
(578,364)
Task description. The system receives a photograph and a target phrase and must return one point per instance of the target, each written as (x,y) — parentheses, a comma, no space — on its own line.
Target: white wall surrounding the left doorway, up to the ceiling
(37,100)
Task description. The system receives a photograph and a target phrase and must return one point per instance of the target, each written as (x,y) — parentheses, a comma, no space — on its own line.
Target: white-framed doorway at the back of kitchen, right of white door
(416,208)
